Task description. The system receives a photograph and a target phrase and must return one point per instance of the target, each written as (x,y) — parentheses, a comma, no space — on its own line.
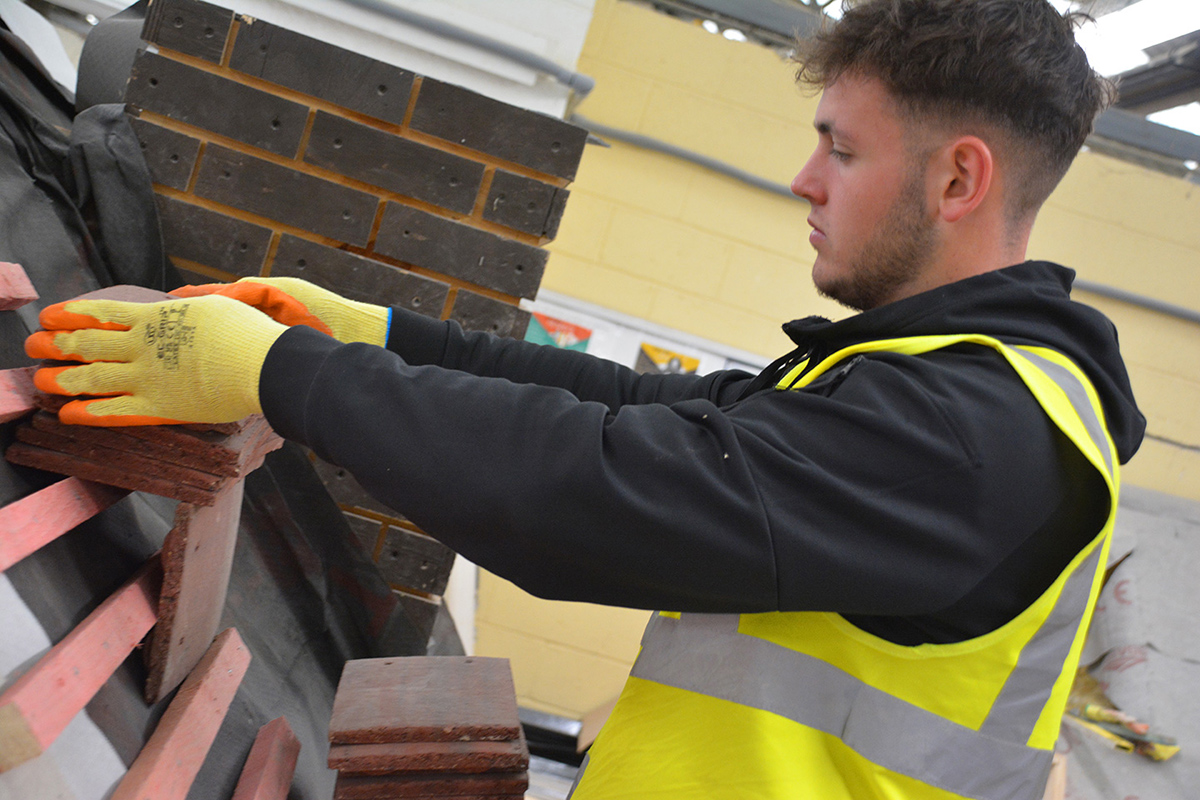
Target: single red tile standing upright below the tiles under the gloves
(197,557)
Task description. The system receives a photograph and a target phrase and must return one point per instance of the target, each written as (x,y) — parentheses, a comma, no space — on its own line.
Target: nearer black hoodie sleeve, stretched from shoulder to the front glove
(862,495)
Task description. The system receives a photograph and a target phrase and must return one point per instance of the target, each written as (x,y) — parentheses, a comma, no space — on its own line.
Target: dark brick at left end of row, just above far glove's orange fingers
(212,238)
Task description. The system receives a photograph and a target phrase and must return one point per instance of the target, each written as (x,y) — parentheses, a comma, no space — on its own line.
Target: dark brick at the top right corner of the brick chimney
(463,117)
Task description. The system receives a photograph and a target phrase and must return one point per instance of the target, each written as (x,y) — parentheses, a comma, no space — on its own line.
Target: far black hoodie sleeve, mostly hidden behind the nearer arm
(422,341)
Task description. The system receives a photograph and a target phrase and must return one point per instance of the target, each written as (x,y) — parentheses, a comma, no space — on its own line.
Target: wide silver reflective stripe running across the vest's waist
(705,654)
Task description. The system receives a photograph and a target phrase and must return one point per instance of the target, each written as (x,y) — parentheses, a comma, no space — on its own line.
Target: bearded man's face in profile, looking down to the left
(871,225)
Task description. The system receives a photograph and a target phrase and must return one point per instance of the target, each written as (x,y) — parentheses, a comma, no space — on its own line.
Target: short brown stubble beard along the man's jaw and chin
(892,258)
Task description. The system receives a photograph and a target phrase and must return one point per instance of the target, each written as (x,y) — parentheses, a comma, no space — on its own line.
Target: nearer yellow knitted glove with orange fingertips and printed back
(177,362)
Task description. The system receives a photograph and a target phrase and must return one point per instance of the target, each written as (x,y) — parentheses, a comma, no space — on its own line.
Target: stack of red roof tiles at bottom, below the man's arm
(428,727)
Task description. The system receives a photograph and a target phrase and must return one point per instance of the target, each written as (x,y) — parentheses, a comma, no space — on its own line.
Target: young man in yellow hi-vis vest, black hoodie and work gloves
(885,548)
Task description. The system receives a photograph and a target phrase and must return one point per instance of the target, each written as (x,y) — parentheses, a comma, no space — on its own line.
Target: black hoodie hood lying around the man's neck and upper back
(1027,304)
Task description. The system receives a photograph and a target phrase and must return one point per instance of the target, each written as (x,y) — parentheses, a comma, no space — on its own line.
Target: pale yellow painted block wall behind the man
(662,239)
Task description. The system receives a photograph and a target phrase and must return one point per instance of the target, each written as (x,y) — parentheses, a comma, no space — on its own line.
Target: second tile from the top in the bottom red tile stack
(431,756)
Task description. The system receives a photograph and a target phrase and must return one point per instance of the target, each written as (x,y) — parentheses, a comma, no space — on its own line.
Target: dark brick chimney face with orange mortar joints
(277,154)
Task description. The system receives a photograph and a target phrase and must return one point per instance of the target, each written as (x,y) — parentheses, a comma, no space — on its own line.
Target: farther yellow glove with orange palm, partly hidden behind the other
(293,302)
